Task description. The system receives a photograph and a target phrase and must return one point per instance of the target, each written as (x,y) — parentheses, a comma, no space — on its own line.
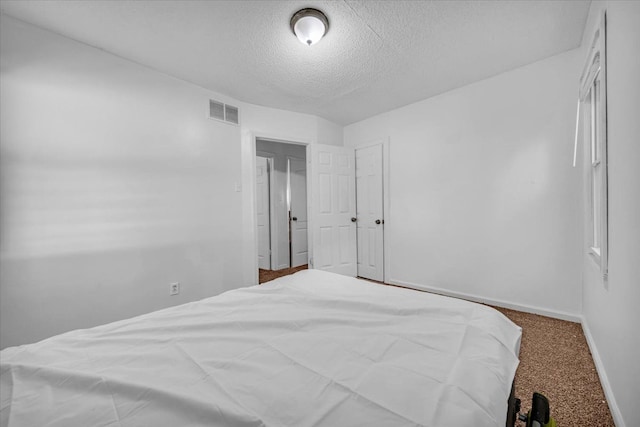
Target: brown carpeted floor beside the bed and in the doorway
(554,360)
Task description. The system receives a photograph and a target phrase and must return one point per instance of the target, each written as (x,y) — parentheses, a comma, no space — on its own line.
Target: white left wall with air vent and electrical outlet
(114,183)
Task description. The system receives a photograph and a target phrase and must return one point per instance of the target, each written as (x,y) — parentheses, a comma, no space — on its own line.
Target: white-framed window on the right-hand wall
(593,91)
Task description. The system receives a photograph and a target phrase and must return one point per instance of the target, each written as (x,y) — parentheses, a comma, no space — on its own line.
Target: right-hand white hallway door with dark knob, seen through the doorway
(298,211)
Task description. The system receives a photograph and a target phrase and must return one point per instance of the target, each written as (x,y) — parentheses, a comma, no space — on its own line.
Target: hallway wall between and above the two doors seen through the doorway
(280,222)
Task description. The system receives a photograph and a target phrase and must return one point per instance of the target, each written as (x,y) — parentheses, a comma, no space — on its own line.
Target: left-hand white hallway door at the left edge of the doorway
(262,203)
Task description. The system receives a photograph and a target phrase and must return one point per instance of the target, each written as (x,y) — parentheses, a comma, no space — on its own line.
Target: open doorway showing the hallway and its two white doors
(281,204)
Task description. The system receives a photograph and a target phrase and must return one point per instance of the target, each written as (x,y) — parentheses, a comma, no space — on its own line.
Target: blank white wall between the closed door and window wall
(484,202)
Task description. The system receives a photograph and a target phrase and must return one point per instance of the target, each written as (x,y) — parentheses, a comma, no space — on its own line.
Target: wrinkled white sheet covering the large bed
(313,349)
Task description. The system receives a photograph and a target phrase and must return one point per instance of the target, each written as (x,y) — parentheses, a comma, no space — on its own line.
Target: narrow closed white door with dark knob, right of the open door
(369,202)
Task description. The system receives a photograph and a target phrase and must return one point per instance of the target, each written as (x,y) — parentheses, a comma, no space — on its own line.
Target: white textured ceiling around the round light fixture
(377,55)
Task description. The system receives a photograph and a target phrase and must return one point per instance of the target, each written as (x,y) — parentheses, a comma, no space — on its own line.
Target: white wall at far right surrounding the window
(611,314)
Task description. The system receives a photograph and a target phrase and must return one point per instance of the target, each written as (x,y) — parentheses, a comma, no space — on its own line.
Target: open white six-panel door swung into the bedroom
(334,209)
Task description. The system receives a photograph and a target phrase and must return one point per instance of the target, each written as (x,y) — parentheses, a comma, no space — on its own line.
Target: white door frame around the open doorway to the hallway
(250,179)
